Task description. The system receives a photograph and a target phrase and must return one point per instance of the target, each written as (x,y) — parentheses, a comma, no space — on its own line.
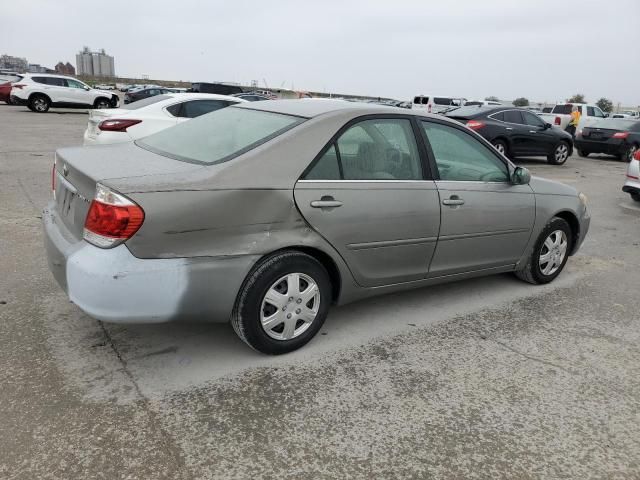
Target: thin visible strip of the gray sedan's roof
(313,107)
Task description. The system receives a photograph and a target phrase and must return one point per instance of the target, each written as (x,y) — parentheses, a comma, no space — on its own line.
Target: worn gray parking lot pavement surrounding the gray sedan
(486,378)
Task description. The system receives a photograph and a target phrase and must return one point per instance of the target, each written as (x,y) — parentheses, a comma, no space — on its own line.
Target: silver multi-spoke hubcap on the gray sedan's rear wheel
(290,306)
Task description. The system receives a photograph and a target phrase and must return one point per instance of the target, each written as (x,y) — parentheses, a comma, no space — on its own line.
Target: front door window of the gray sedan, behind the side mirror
(460,157)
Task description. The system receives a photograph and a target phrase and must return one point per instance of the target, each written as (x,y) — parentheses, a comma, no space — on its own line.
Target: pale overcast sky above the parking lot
(545,50)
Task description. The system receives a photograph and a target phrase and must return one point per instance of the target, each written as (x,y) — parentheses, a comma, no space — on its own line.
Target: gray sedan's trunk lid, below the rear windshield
(78,169)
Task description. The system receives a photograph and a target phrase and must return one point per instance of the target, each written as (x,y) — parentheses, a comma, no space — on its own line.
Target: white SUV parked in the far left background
(40,91)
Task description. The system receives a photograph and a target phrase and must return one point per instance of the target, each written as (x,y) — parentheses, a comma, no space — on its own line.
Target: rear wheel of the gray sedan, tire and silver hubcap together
(283,303)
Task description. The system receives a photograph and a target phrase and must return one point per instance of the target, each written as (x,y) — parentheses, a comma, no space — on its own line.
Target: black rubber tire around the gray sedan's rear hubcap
(246,317)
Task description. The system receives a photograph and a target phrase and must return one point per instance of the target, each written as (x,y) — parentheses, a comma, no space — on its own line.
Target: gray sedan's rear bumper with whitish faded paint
(115,286)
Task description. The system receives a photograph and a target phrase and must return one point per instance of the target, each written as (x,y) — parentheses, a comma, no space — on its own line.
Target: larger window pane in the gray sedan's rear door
(381,149)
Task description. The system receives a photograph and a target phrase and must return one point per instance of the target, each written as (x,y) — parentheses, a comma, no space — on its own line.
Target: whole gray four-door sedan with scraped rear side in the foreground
(266,214)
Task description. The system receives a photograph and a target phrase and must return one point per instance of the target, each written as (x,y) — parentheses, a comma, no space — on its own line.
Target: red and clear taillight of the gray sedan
(112,218)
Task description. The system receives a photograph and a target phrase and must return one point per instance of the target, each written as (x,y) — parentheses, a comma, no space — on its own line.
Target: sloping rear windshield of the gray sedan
(219,136)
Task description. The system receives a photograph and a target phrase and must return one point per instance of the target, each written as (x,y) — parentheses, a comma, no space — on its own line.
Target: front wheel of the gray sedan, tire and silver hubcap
(550,254)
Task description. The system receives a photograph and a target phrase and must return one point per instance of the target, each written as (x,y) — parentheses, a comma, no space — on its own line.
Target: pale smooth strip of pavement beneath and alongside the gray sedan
(177,356)
